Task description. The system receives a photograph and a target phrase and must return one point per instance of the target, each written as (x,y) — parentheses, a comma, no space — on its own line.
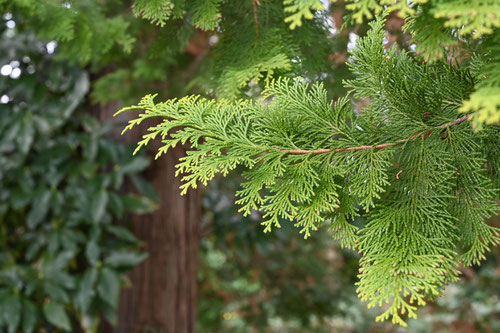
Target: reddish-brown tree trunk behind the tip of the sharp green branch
(163,293)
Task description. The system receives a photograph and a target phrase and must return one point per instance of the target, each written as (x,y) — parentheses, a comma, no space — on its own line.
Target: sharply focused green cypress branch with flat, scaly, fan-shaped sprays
(415,168)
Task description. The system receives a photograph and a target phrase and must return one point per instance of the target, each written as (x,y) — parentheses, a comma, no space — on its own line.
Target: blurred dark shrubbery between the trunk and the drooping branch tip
(275,282)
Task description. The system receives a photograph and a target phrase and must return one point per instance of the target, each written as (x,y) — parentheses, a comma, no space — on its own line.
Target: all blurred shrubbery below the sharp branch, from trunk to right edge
(279,282)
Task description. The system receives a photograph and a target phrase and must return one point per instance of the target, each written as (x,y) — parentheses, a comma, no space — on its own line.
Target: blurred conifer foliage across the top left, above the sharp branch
(147,56)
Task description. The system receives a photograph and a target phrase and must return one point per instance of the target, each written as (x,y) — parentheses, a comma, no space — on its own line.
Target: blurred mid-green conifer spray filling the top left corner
(83,27)
